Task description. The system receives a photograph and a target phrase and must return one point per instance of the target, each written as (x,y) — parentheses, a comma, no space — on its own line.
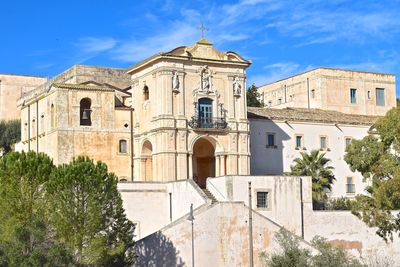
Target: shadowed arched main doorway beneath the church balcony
(203,161)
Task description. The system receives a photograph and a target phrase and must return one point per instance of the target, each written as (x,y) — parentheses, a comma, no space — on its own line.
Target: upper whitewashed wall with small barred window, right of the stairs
(284,195)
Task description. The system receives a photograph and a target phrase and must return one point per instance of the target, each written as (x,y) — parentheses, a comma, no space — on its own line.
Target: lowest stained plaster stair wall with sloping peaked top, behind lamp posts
(221,238)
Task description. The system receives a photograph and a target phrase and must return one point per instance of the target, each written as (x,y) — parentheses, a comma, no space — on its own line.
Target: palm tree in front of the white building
(316,166)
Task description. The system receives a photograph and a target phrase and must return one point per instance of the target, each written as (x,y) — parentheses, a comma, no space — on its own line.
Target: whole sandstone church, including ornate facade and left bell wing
(176,115)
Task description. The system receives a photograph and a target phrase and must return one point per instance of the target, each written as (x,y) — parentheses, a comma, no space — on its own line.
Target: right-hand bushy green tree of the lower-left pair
(88,215)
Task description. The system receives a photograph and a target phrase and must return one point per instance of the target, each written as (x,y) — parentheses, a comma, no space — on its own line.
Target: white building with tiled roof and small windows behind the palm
(278,136)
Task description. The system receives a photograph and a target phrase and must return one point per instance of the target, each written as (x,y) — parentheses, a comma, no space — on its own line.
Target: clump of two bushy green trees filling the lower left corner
(70,215)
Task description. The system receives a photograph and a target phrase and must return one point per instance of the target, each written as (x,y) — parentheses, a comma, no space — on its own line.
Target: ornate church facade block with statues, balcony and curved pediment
(190,115)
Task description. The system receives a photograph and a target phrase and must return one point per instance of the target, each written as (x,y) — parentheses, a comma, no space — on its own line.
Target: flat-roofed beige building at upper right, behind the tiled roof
(347,91)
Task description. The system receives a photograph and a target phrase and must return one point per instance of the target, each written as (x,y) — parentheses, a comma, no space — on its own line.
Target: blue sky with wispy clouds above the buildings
(281,38)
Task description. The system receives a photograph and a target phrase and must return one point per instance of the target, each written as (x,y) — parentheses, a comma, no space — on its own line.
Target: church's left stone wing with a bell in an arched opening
(80,112)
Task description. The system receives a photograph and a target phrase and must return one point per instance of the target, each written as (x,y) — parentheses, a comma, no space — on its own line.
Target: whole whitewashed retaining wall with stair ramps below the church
(221,229)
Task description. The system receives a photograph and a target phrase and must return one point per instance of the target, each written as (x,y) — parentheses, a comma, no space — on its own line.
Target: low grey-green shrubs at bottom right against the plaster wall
(293,255)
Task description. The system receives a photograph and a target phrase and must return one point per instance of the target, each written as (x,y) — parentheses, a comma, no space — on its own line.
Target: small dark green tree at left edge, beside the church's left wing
(10,133)
